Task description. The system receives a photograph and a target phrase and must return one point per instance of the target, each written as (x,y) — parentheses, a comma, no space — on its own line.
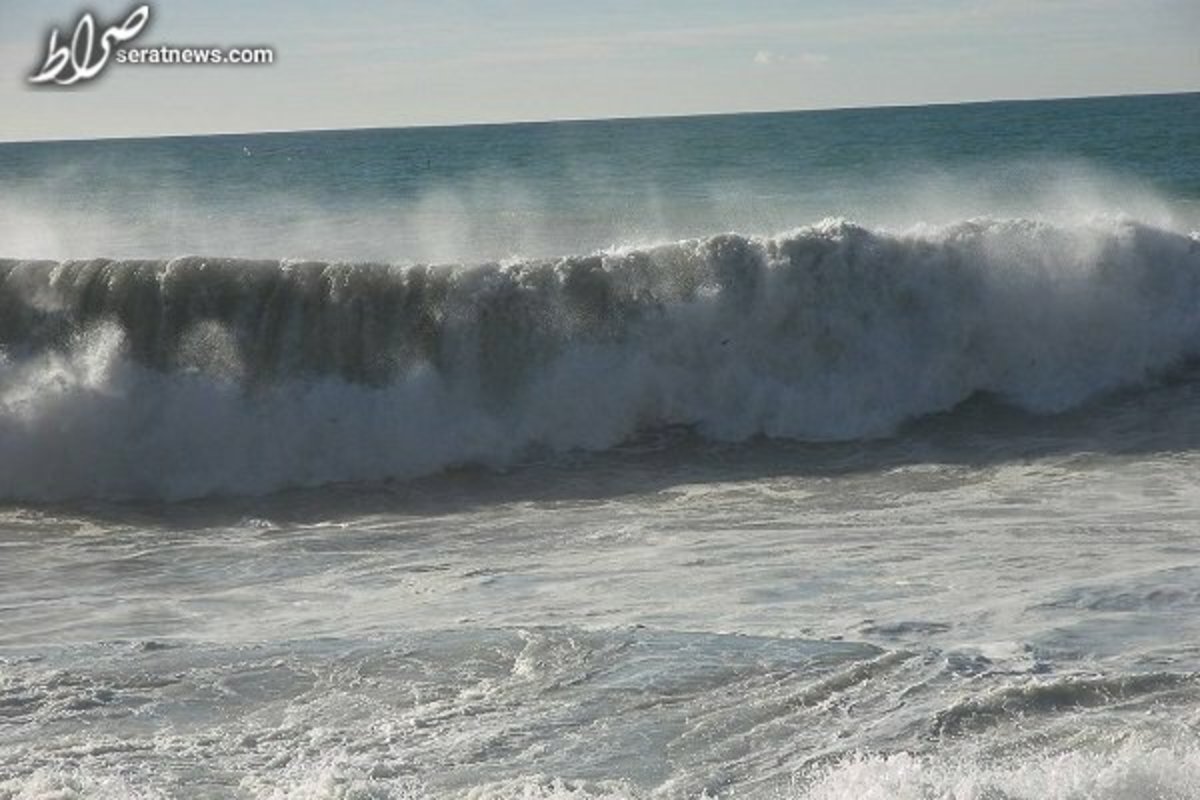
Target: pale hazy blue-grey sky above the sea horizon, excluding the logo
(379,64)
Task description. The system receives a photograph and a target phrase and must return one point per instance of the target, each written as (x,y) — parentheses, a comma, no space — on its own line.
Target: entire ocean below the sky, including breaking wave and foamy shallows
(841,455)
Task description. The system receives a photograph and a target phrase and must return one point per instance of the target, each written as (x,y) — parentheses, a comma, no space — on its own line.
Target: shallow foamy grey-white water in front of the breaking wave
(963,613)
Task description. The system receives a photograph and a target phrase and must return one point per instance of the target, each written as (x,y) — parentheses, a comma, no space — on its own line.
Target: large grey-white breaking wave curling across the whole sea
(201,376)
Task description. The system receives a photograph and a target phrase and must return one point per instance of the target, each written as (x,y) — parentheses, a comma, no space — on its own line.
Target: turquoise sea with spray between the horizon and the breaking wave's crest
(491,193)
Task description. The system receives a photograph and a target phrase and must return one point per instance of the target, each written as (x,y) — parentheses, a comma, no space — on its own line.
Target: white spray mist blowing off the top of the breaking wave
(500,216)
